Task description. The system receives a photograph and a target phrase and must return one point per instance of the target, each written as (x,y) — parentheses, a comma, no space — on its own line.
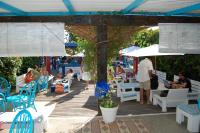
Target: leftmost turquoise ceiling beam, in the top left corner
(11,9)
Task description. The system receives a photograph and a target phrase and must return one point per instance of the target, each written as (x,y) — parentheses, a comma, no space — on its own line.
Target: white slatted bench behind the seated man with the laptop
(195,94)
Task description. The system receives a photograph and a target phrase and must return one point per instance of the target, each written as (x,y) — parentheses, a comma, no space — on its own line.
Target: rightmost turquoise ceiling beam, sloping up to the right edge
(186,9)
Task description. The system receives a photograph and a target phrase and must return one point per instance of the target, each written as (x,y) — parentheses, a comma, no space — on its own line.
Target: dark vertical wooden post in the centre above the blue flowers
(102,52)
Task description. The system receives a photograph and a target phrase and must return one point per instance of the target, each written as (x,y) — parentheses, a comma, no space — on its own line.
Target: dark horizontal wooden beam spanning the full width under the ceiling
(113,20)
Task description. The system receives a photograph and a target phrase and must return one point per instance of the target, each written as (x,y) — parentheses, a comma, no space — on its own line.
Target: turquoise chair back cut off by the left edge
(5,87)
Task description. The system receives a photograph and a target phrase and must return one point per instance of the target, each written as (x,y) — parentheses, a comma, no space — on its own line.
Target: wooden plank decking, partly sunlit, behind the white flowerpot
(80,102)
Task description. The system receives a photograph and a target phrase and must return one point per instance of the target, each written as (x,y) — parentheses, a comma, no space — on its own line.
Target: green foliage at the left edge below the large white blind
(9,66)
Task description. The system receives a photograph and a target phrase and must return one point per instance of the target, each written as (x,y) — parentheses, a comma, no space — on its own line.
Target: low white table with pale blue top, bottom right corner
(190,111)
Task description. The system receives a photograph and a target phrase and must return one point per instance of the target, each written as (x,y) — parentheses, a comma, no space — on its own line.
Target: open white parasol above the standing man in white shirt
(152,50)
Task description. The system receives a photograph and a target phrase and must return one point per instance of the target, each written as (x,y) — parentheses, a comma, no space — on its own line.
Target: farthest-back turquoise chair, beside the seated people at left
(42,83)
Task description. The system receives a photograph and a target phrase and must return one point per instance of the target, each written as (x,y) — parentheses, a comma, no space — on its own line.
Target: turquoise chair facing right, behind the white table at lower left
(26,97)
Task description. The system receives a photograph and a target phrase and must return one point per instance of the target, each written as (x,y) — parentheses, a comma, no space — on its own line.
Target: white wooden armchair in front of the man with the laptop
(173,98)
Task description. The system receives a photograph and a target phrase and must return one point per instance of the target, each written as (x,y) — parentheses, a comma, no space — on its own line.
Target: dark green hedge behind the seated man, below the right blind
(190,64)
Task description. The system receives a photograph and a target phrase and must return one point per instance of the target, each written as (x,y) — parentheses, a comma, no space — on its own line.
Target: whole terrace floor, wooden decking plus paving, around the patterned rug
(75,109)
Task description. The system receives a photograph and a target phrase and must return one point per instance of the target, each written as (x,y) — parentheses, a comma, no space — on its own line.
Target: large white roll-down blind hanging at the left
(32,39)
